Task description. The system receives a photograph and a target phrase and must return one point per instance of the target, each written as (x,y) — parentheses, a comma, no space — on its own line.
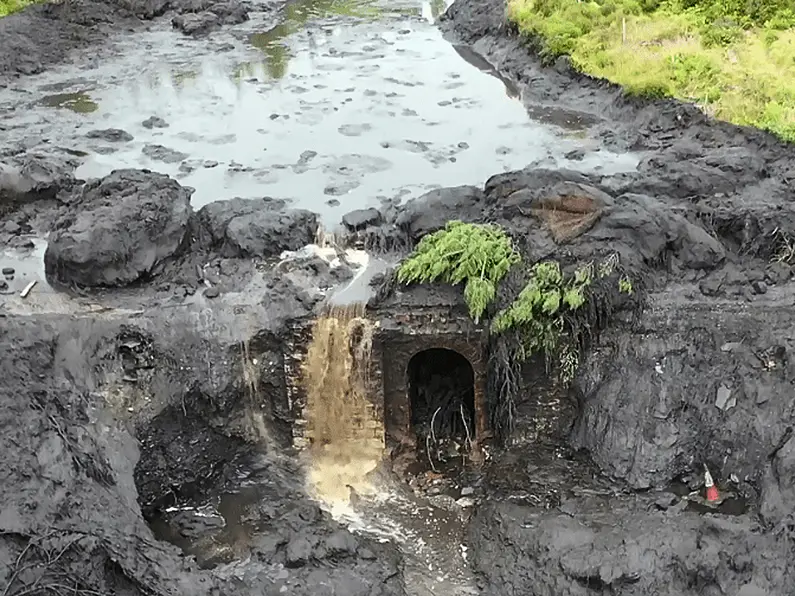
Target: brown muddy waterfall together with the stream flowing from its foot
(347,448)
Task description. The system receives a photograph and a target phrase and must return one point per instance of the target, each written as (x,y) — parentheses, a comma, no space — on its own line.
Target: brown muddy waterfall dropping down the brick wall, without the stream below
(347,438)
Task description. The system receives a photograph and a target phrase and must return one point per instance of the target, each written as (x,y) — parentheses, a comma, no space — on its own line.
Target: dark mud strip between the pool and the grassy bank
(627,122)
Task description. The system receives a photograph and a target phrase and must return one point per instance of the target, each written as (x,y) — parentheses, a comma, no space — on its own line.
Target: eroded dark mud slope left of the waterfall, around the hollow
(78,393)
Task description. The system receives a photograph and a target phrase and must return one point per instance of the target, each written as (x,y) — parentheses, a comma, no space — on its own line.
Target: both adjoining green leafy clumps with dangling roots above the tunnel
(547,315)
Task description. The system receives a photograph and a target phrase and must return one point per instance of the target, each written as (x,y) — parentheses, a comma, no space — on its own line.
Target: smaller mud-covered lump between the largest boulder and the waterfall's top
(256,227)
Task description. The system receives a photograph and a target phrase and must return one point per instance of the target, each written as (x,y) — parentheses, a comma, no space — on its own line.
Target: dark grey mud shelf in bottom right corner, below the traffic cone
(597,544)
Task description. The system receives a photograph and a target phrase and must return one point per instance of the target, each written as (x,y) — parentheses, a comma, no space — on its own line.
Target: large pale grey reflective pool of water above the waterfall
(345,105)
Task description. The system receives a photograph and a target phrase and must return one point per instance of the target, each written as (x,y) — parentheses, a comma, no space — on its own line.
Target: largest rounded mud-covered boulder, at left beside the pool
(123,227)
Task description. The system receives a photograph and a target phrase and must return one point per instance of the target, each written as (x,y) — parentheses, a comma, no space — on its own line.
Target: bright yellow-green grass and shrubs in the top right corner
(733,58)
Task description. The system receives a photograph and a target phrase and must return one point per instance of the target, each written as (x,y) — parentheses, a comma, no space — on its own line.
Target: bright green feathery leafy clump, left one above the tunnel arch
(479,255)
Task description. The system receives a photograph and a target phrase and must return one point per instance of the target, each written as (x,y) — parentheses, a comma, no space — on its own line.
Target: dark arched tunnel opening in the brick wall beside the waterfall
(441,387)
